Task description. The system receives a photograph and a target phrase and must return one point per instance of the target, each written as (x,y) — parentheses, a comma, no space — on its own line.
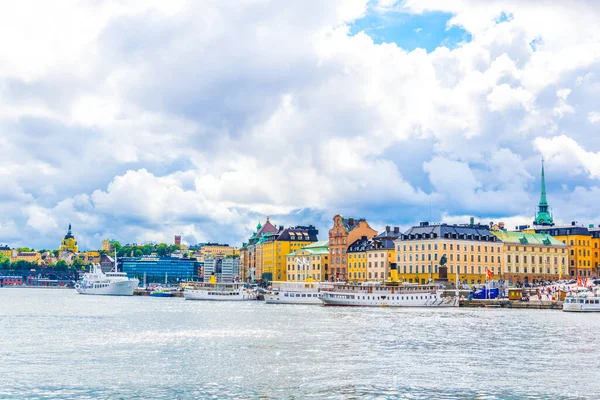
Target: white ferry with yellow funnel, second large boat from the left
(218,291)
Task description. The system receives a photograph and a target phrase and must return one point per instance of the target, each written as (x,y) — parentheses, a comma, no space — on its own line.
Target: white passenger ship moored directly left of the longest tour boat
(295,293)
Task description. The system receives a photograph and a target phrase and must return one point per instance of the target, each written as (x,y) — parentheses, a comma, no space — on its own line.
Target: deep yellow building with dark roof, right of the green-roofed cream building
(583,247)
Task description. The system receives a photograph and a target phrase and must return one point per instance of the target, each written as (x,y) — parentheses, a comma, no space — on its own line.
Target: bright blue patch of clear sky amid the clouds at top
(410,31)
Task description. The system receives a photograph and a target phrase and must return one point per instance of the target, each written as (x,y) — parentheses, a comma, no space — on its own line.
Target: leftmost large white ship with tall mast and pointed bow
(112,283)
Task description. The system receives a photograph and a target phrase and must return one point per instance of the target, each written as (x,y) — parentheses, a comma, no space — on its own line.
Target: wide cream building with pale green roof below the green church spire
(532,257)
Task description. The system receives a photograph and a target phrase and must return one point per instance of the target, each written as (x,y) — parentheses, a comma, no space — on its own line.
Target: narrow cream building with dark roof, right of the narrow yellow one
(381,254)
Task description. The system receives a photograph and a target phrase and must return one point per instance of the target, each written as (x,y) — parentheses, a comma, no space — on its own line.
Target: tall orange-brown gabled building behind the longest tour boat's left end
(344,232)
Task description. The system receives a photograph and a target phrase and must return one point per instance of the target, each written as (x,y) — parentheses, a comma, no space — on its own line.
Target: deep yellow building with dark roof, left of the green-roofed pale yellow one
(275,246)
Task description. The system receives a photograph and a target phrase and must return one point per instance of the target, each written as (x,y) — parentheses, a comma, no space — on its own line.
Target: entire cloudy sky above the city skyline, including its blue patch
(139,120)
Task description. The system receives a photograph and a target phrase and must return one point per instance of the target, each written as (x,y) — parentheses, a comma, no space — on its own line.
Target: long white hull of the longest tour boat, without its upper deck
(363,300)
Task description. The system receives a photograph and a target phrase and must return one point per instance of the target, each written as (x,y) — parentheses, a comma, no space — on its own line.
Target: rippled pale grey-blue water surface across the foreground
(58,344)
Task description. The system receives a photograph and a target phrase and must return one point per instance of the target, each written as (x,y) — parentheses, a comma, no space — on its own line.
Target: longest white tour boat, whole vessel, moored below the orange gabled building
(387,295)
